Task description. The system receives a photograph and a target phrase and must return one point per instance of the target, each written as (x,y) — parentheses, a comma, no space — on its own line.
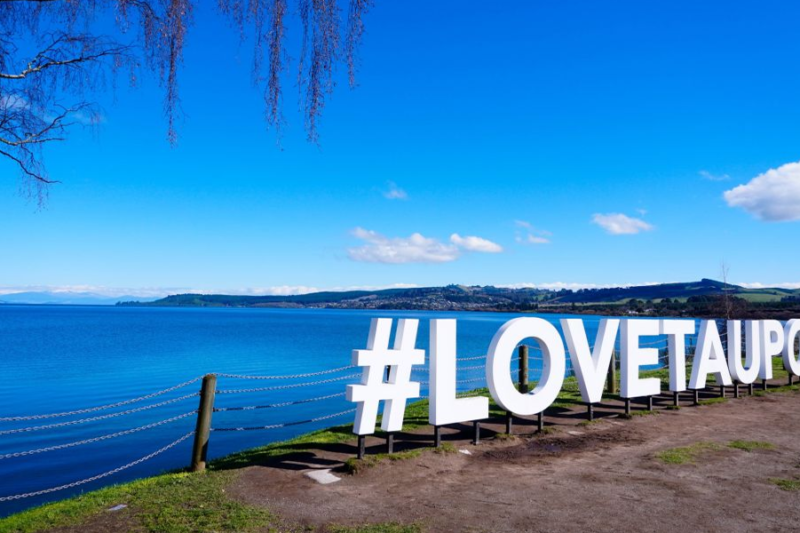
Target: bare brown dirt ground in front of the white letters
(598,477)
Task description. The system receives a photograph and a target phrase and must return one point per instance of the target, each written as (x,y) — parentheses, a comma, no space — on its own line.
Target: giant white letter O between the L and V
(498,363)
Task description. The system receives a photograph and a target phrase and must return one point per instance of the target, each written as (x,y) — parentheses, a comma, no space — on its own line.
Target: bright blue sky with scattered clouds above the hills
(610,130)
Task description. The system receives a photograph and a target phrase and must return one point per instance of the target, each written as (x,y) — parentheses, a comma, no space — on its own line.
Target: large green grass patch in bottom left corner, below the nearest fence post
(170,503)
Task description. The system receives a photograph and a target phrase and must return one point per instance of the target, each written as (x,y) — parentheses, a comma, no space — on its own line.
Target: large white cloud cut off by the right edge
(773,196)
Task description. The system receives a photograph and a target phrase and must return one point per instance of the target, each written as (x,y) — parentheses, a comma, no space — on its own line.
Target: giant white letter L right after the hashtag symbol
(444,407)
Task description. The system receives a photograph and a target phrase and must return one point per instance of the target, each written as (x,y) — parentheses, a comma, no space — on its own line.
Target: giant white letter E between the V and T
(633,356)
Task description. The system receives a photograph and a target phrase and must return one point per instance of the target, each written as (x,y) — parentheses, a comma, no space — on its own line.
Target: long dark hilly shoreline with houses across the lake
(698,297)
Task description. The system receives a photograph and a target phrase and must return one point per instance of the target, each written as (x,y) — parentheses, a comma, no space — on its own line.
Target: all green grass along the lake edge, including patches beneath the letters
(180,502)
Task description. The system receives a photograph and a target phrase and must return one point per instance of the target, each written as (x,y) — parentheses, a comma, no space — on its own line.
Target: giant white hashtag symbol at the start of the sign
(395,390)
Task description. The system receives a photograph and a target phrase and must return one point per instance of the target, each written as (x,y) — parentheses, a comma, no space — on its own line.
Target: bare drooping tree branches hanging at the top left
(53,59)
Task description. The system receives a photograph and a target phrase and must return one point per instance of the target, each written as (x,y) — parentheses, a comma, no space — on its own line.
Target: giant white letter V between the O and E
(590,367)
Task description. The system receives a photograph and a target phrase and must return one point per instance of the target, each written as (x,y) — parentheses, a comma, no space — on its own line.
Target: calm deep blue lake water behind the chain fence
(65,358)
